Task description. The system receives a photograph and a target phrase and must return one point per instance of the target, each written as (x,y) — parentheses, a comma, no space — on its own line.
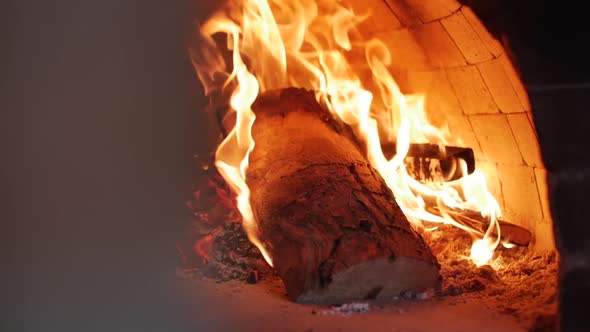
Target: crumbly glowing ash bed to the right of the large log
(519,281)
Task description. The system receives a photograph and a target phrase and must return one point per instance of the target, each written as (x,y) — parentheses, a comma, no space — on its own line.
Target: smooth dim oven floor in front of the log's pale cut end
(237,306)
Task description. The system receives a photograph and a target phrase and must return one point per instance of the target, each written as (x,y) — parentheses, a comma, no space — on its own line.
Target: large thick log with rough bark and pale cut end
(327,218)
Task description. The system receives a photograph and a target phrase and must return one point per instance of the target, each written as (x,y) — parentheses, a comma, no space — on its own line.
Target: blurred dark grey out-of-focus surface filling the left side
(100,116)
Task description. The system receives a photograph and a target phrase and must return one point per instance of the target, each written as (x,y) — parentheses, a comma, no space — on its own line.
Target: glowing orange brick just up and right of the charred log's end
(495,136)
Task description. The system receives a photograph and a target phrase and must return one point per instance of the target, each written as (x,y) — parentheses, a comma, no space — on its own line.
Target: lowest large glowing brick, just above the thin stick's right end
(519,189)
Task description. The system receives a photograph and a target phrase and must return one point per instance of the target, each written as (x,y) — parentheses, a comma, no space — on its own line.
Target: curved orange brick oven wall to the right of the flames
(442,49)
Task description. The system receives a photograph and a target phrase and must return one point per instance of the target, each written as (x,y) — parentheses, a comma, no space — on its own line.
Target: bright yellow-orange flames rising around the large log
(309,44)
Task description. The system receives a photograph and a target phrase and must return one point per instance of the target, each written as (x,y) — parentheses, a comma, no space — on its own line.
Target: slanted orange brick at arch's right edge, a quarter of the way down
(500,87)
